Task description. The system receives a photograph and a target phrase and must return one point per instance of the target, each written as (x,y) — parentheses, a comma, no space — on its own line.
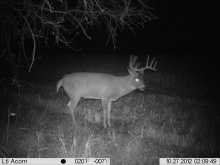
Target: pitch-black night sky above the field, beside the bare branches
(182,27)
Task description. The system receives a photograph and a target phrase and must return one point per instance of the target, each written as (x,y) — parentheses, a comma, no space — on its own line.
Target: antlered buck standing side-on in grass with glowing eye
(106,87)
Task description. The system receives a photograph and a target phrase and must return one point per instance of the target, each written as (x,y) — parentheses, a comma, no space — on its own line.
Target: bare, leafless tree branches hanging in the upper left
(36,21)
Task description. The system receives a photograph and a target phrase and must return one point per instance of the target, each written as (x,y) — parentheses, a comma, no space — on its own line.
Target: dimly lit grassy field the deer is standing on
(176,116)
